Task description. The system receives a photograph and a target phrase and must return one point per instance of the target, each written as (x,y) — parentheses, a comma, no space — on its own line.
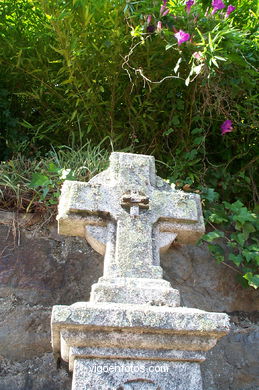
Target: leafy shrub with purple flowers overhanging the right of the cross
(216,80)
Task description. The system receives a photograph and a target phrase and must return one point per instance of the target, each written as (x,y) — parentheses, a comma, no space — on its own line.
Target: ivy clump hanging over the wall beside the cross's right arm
(239,232)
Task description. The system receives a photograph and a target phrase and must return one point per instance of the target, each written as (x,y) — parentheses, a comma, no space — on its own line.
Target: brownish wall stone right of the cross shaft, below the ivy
(205,284)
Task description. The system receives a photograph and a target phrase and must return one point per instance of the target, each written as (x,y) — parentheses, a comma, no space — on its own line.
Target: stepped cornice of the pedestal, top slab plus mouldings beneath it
(182,334)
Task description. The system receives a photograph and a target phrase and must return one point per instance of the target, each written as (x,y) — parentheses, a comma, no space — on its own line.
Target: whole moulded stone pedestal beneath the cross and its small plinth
(119,346)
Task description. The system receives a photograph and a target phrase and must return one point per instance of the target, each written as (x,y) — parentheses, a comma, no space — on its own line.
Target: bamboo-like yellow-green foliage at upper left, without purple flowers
(62,61)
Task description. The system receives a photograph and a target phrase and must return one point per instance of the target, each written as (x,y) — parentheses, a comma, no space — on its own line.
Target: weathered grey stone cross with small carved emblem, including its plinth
(129,214)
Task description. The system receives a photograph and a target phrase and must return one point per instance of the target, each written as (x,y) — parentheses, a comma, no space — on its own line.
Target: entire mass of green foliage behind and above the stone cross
(91,72)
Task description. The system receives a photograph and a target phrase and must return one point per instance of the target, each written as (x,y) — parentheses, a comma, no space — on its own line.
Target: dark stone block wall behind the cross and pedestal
(39,269)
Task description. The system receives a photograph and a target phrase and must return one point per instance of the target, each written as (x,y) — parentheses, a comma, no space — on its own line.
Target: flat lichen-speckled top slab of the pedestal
(142,317)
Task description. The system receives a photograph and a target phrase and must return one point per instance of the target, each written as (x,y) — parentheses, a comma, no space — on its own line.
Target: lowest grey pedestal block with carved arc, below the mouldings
(114,374)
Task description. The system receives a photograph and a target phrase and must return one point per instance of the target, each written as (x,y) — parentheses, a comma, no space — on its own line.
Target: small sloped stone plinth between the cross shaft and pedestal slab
(155,292)
